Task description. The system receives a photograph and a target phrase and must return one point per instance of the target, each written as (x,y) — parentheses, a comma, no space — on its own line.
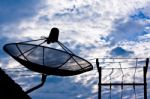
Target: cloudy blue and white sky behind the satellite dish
(90,28)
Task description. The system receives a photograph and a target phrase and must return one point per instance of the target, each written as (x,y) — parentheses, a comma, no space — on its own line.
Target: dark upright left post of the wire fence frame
(100,74)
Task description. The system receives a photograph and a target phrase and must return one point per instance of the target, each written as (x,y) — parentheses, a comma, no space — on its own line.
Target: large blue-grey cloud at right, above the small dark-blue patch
(128,30)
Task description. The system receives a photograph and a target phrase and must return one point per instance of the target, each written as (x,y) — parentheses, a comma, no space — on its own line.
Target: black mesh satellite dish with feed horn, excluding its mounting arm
(47,60)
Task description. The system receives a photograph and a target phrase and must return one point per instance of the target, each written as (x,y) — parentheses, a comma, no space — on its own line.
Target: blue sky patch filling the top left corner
(16,10)
